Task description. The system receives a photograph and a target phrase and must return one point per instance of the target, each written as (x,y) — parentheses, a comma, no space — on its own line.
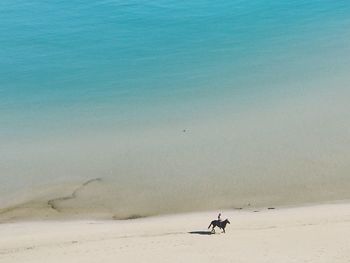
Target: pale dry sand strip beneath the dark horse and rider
(306,234)
